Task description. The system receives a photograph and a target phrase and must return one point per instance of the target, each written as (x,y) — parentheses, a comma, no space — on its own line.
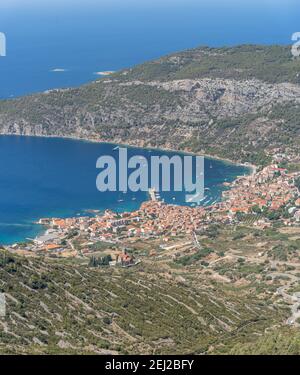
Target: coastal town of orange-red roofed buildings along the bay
(260,198)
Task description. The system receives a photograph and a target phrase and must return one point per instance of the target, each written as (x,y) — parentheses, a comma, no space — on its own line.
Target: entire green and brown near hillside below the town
(234,299)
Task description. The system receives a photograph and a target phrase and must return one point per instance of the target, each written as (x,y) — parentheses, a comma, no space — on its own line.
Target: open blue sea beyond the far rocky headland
(84,37)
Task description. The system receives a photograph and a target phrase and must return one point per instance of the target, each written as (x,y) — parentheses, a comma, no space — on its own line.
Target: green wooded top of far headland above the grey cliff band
(273,64)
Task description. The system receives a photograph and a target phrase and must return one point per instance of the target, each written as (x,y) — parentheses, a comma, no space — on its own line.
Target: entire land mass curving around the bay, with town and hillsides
(167,279)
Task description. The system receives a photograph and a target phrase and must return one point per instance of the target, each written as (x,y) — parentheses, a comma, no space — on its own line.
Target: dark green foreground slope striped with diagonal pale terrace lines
(61,307)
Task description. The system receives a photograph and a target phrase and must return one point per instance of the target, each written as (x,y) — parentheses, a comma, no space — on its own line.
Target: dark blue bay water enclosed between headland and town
(51,177)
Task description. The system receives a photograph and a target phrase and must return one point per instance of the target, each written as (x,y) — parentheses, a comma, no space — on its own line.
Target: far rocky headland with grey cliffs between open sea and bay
(231,102)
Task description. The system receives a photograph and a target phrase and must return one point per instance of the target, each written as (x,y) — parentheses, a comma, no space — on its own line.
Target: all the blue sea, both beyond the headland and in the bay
(66,43)
